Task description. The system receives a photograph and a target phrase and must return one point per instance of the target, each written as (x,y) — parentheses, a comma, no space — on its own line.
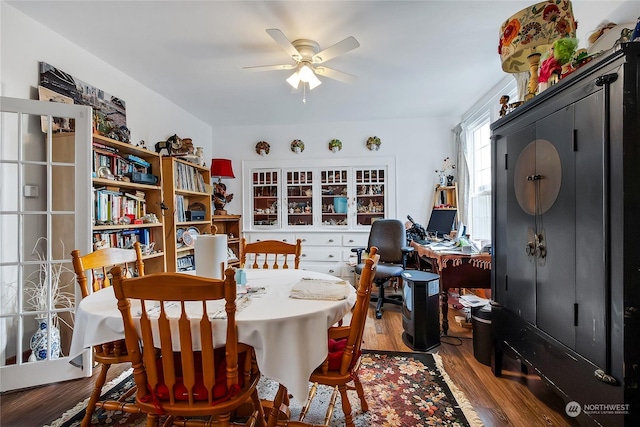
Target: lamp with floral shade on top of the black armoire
(528,34)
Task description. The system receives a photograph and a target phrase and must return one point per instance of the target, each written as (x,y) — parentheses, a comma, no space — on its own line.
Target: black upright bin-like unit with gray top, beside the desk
(421,310)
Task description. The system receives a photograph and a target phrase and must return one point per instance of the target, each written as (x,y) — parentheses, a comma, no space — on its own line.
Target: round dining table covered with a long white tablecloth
(288,330)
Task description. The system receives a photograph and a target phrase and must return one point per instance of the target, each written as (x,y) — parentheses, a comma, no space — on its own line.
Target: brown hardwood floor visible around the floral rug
(513,400)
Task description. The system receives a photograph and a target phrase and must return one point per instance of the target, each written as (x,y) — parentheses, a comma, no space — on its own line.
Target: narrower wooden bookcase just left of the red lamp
(187,190)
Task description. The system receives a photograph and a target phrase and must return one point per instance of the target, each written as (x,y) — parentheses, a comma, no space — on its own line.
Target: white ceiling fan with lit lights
(308,59)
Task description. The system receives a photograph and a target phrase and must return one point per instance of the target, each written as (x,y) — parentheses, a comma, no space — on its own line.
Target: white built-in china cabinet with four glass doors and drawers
(329,204)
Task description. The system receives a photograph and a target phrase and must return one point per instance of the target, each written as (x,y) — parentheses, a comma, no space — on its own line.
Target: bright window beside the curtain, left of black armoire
(479,146)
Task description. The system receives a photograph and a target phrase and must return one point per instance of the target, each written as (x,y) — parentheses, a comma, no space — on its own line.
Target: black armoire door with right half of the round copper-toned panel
(555,224)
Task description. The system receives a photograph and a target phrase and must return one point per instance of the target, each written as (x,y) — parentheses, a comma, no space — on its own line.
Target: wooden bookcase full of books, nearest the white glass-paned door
(123,211)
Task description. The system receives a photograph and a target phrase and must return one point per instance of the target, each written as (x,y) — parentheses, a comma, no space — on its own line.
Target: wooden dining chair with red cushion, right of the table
(340,368)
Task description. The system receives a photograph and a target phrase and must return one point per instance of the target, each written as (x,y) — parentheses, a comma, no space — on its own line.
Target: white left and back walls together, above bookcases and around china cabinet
(419,145)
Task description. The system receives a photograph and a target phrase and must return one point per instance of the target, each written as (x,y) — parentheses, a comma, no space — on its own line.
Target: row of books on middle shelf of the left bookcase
(112,205)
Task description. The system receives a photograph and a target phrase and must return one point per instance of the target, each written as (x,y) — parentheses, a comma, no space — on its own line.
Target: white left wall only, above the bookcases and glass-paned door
(24,42)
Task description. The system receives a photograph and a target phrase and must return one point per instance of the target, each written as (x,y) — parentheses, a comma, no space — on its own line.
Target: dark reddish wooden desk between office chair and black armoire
(456,270)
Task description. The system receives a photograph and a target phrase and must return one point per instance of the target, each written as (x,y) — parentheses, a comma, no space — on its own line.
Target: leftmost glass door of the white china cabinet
(265,198)
